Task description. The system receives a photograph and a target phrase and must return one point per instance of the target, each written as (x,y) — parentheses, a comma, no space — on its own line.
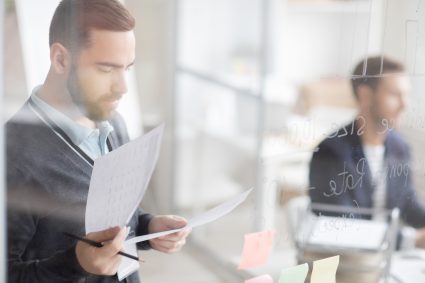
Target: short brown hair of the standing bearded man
(73,21)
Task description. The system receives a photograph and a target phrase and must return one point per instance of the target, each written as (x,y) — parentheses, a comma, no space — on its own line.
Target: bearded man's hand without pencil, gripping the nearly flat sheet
(170,243)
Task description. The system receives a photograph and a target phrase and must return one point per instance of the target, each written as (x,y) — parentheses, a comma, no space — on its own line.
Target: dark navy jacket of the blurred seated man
(340,175)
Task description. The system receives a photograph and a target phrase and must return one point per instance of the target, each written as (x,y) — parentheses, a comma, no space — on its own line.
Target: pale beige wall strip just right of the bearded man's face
(155,50)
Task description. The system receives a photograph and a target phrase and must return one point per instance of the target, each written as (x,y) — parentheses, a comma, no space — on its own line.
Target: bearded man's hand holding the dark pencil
(104,260)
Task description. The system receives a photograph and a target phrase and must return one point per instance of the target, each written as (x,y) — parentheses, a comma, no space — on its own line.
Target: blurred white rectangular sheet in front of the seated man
(348,233)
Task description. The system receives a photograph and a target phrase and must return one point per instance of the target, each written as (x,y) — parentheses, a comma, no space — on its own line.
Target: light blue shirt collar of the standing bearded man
(76,132)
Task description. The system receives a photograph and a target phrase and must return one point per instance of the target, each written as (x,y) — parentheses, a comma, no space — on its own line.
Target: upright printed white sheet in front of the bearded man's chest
(119,181)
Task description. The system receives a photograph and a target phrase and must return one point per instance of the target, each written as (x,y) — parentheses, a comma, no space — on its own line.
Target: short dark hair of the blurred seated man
(374,65)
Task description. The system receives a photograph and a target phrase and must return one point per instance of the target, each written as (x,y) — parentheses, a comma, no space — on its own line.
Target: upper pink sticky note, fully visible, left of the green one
(256,250)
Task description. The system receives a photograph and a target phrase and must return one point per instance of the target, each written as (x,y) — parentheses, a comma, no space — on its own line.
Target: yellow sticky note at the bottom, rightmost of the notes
(324,270)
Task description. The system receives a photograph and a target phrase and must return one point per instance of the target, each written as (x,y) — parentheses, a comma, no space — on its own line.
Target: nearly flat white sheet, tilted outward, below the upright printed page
(204,218)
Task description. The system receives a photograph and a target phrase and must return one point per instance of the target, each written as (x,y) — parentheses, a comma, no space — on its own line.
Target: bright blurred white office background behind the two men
(246,90)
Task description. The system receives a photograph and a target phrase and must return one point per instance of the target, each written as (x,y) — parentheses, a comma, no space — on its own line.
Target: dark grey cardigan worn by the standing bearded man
(47,186)
